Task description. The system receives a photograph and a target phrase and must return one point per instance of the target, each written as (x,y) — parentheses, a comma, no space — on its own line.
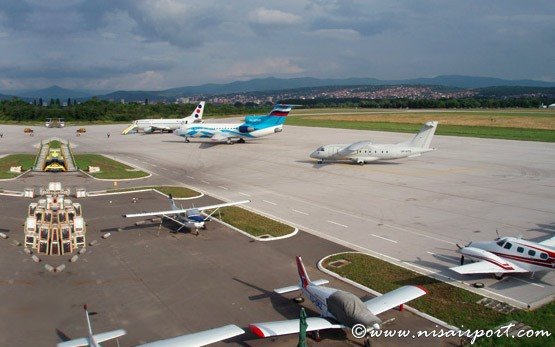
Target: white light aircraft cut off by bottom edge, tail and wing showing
(201,338)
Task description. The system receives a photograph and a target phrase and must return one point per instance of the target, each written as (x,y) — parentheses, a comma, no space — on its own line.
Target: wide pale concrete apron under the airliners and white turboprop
(411,212)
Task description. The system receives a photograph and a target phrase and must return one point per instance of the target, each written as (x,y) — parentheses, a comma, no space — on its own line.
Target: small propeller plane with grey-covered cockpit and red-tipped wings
(338,309)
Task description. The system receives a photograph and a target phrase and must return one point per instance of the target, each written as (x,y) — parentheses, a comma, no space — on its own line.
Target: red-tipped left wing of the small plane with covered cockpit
(285,327)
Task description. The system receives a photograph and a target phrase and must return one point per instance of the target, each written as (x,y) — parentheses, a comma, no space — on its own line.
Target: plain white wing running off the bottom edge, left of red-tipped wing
(201,338)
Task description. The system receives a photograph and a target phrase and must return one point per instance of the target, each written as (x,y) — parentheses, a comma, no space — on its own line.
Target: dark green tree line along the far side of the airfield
(95,110)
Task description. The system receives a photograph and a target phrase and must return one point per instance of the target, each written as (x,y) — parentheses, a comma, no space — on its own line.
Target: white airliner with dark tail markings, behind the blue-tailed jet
(165,124)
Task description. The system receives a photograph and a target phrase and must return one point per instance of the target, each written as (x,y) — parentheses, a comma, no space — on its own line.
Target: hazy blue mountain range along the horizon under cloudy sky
(271,84)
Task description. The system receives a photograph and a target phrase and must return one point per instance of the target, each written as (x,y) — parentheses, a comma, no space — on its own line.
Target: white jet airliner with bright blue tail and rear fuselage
(254,126)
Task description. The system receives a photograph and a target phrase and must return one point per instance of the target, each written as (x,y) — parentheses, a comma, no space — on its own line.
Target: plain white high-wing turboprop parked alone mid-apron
(366,151)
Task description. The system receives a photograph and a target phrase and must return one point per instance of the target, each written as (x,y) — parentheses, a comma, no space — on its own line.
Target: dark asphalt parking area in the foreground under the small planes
(157,284)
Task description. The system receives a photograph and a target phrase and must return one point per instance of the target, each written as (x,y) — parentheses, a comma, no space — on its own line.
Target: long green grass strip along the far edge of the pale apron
(523,134)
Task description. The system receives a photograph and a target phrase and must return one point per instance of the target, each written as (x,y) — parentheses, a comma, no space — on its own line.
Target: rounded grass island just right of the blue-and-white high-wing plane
(252,223)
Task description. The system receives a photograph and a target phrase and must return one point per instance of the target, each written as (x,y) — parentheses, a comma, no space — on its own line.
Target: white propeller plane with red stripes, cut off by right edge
(507,255)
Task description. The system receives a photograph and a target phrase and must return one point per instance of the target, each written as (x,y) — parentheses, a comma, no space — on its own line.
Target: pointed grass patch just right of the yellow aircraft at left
(109,169)
